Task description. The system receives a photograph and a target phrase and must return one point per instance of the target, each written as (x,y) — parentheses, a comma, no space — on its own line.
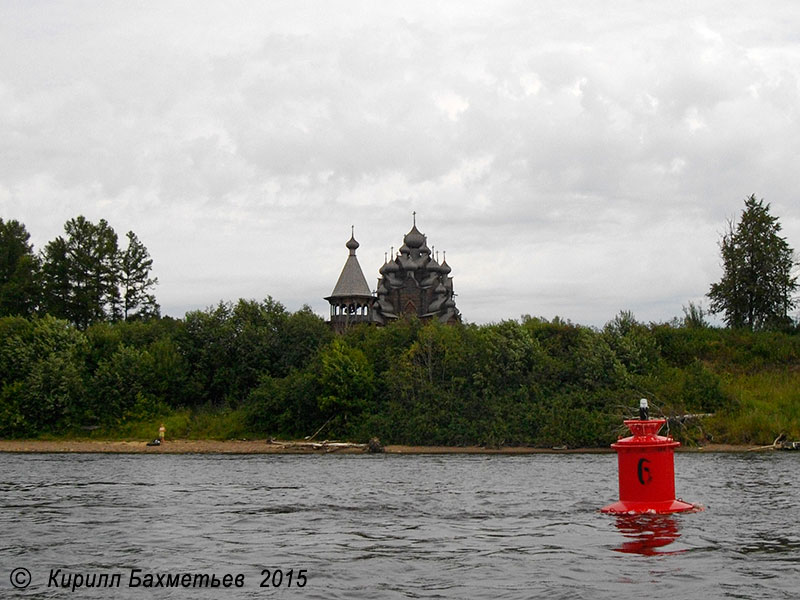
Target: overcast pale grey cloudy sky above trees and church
(573,159)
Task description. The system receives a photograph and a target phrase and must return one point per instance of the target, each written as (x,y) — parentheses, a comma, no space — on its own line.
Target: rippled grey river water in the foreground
(389,526)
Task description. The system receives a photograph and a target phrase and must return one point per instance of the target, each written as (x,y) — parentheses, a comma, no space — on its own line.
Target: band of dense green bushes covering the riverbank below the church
(255,369)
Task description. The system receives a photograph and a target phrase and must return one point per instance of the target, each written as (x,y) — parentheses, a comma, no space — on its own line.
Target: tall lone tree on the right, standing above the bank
(757,285)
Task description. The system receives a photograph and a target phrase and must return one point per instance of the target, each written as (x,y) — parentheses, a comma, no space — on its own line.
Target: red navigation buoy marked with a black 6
(646,465)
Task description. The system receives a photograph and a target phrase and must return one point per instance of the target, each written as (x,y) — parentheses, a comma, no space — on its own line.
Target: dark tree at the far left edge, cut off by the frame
(19,267)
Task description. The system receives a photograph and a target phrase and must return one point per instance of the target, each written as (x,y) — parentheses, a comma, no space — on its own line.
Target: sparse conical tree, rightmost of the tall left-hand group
(136,284)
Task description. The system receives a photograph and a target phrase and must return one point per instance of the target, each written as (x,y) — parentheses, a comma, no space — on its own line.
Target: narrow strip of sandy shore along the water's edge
(264,447)
